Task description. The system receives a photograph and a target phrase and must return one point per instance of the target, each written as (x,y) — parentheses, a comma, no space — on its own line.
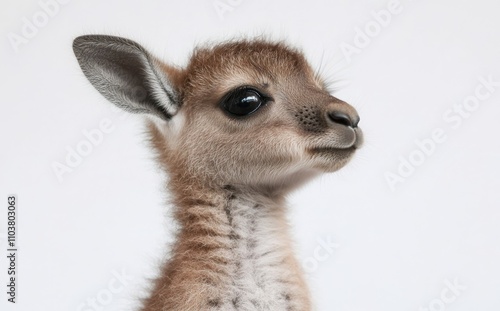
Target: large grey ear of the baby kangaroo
(127,75)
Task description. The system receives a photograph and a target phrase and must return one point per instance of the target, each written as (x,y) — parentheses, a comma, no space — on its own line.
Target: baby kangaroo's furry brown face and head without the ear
(293,130)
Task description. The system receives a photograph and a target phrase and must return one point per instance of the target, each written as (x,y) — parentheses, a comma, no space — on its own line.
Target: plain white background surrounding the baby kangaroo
(396,247)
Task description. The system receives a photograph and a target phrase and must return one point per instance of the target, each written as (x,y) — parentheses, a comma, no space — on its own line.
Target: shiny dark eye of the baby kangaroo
(243,101)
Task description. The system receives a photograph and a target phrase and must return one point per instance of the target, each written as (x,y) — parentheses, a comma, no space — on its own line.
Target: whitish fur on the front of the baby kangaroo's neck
(262,276)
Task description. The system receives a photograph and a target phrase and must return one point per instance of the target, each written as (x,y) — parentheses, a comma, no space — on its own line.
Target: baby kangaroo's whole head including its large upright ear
(249,113)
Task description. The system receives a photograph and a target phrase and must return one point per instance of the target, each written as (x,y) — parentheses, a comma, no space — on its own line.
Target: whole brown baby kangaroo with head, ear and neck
(240,127)
